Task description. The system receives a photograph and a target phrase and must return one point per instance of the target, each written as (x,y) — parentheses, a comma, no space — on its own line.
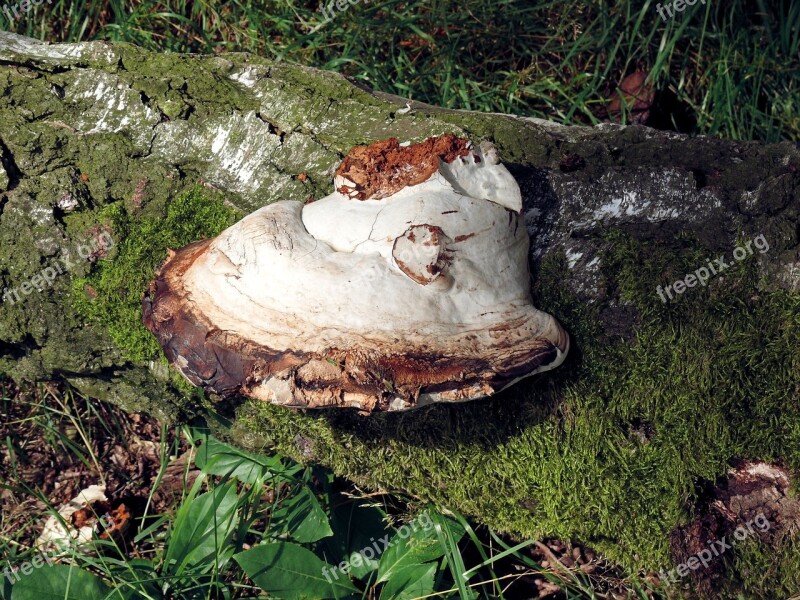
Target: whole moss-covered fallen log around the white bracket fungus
(609,449)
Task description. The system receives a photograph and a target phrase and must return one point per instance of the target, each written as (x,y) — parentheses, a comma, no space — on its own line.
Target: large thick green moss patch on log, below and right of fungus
(608,448)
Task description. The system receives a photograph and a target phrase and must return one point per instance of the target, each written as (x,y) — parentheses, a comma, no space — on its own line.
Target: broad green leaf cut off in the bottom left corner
(62,582)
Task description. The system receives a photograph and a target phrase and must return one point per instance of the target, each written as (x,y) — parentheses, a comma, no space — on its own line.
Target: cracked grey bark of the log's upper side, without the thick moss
(84,125)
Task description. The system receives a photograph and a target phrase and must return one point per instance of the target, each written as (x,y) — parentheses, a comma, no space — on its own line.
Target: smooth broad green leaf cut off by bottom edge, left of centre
(287,570)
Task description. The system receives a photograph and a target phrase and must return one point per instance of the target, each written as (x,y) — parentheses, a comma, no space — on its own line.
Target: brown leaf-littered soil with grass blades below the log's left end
(45,459)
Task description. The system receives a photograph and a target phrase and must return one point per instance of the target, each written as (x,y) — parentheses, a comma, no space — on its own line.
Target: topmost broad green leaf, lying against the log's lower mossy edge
(217,458)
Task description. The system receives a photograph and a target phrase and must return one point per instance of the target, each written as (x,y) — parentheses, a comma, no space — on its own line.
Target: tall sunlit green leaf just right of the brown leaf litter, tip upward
(203,527)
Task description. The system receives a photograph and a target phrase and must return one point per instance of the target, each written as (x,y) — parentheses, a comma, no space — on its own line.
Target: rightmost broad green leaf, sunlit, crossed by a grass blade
(420,545)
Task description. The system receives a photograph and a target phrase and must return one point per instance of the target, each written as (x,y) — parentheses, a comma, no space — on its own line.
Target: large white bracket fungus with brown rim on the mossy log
(409,284)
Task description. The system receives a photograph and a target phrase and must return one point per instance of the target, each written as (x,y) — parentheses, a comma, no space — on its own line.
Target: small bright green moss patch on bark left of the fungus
(111,295)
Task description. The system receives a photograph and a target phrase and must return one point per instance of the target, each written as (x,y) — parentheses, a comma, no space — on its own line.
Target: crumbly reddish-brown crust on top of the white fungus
(385,167)
